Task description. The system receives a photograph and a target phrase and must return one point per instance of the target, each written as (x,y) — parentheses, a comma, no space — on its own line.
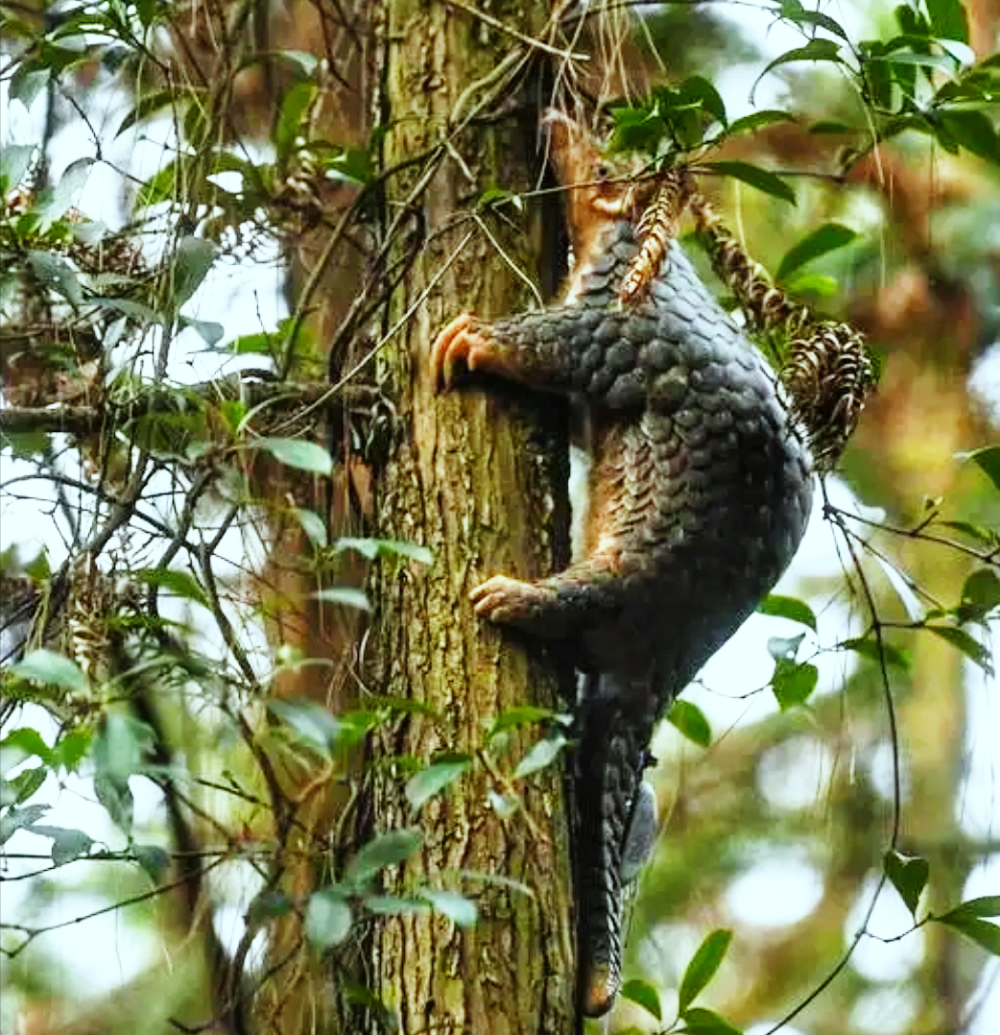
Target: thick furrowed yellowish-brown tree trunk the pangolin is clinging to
(474,480)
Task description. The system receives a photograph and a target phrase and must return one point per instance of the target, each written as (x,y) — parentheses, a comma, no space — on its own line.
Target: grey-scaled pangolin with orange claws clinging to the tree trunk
(701,486)
